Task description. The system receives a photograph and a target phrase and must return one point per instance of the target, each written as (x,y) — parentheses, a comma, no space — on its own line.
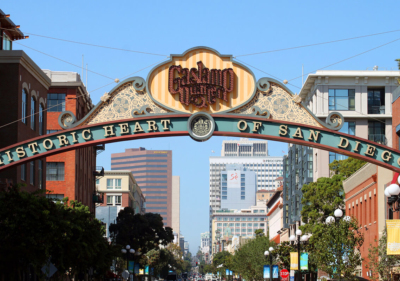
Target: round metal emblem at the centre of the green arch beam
(201,126)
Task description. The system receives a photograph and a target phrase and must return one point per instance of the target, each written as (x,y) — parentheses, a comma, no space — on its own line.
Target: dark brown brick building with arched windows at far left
(24,92)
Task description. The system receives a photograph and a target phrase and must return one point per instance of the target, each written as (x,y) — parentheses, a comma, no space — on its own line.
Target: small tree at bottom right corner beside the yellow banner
(379,262)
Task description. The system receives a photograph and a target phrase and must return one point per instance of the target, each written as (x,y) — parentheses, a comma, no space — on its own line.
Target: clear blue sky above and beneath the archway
(231,27)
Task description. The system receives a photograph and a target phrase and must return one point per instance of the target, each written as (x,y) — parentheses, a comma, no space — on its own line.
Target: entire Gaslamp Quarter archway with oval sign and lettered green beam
(200,93)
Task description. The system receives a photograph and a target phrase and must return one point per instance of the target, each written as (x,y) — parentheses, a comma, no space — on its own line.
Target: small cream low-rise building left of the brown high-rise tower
(119,190)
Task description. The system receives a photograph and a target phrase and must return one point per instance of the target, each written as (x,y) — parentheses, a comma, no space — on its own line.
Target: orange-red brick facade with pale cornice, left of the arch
(79,180)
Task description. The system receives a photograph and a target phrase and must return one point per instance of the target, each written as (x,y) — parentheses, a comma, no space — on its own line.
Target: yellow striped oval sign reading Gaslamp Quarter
(201,80)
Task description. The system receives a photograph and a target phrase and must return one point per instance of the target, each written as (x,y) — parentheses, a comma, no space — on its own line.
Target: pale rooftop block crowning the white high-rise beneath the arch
(244,148)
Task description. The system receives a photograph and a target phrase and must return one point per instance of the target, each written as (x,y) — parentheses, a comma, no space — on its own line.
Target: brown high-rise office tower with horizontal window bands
(152,170)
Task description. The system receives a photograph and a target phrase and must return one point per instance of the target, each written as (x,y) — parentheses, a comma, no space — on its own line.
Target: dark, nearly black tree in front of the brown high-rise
(142,232)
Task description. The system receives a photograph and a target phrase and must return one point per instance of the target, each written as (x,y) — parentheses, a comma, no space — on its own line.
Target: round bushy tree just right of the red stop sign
(337,252)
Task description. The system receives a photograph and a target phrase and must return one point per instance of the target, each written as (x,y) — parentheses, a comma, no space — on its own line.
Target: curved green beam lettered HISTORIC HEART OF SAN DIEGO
(176,125)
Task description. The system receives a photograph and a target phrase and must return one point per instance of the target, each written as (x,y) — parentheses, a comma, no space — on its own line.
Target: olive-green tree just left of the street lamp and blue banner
(249,259)
